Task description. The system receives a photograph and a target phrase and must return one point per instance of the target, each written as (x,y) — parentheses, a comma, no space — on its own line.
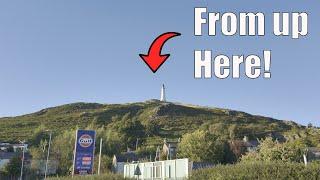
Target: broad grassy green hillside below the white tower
(166,120)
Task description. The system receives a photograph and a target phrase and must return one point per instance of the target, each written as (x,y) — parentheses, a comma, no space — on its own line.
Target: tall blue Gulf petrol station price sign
(84,153)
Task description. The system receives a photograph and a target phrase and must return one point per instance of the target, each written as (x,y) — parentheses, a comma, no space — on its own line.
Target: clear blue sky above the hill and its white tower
(57,52)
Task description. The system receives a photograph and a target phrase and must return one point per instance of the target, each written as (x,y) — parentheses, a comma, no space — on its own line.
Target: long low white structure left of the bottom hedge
(170,169)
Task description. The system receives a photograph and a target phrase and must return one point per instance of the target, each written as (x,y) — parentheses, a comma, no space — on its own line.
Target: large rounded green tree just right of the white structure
(201,146)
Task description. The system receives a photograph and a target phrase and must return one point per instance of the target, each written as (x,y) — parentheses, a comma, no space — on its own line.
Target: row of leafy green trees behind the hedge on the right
(207,147)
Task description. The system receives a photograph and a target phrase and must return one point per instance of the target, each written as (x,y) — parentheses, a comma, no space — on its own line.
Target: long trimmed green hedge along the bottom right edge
(260,170)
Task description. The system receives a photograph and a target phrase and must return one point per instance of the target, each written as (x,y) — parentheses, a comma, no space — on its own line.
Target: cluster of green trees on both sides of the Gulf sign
(116,136)
